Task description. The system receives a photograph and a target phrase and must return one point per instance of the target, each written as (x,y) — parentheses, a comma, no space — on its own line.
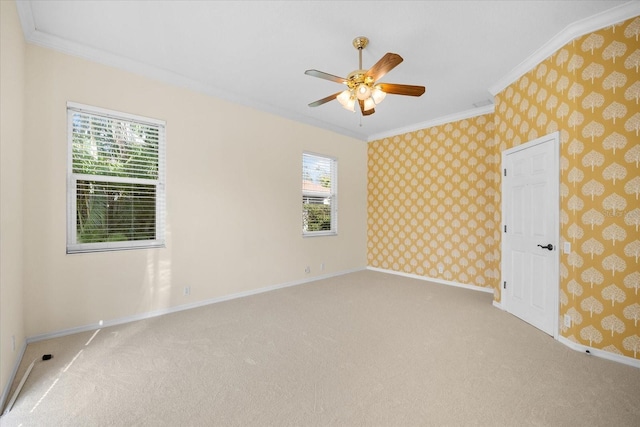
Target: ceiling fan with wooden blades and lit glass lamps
(362,86)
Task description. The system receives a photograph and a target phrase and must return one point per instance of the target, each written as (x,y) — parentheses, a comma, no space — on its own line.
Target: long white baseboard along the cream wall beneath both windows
(168,310)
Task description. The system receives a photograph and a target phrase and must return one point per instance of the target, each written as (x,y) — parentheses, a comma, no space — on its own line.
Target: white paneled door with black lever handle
(531,207)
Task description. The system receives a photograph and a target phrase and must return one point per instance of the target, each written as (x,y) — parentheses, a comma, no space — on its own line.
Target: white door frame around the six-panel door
(553,138)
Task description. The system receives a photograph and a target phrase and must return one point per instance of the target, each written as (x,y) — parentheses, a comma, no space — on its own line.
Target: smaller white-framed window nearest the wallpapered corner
(319,195)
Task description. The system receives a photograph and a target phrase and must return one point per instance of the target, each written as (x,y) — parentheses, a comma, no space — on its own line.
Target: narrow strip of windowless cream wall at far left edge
(12,63)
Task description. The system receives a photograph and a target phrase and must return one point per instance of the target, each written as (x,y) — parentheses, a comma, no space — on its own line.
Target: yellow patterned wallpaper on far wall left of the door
(433,204)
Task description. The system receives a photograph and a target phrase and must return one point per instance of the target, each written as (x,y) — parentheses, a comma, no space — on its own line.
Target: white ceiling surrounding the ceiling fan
(255,52)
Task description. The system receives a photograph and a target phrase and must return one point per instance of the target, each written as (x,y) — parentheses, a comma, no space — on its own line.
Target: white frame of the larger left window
(72,245)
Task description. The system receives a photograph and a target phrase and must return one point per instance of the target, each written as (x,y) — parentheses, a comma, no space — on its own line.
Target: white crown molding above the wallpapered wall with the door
(577,29)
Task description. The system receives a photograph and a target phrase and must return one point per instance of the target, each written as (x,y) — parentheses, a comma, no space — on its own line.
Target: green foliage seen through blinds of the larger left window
(112,210)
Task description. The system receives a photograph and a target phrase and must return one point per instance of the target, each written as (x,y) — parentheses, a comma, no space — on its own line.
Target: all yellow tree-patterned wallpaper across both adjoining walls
(434,194)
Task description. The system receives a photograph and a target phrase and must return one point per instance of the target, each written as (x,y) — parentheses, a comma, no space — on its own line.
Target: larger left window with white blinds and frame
(115,180)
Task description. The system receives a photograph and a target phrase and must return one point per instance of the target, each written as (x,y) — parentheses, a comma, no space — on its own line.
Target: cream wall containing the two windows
(233,200)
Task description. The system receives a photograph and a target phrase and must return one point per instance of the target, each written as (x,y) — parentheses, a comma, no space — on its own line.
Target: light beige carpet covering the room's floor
(366,348)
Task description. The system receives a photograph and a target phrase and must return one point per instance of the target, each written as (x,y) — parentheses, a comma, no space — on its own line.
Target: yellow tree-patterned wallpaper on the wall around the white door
(589,90)
